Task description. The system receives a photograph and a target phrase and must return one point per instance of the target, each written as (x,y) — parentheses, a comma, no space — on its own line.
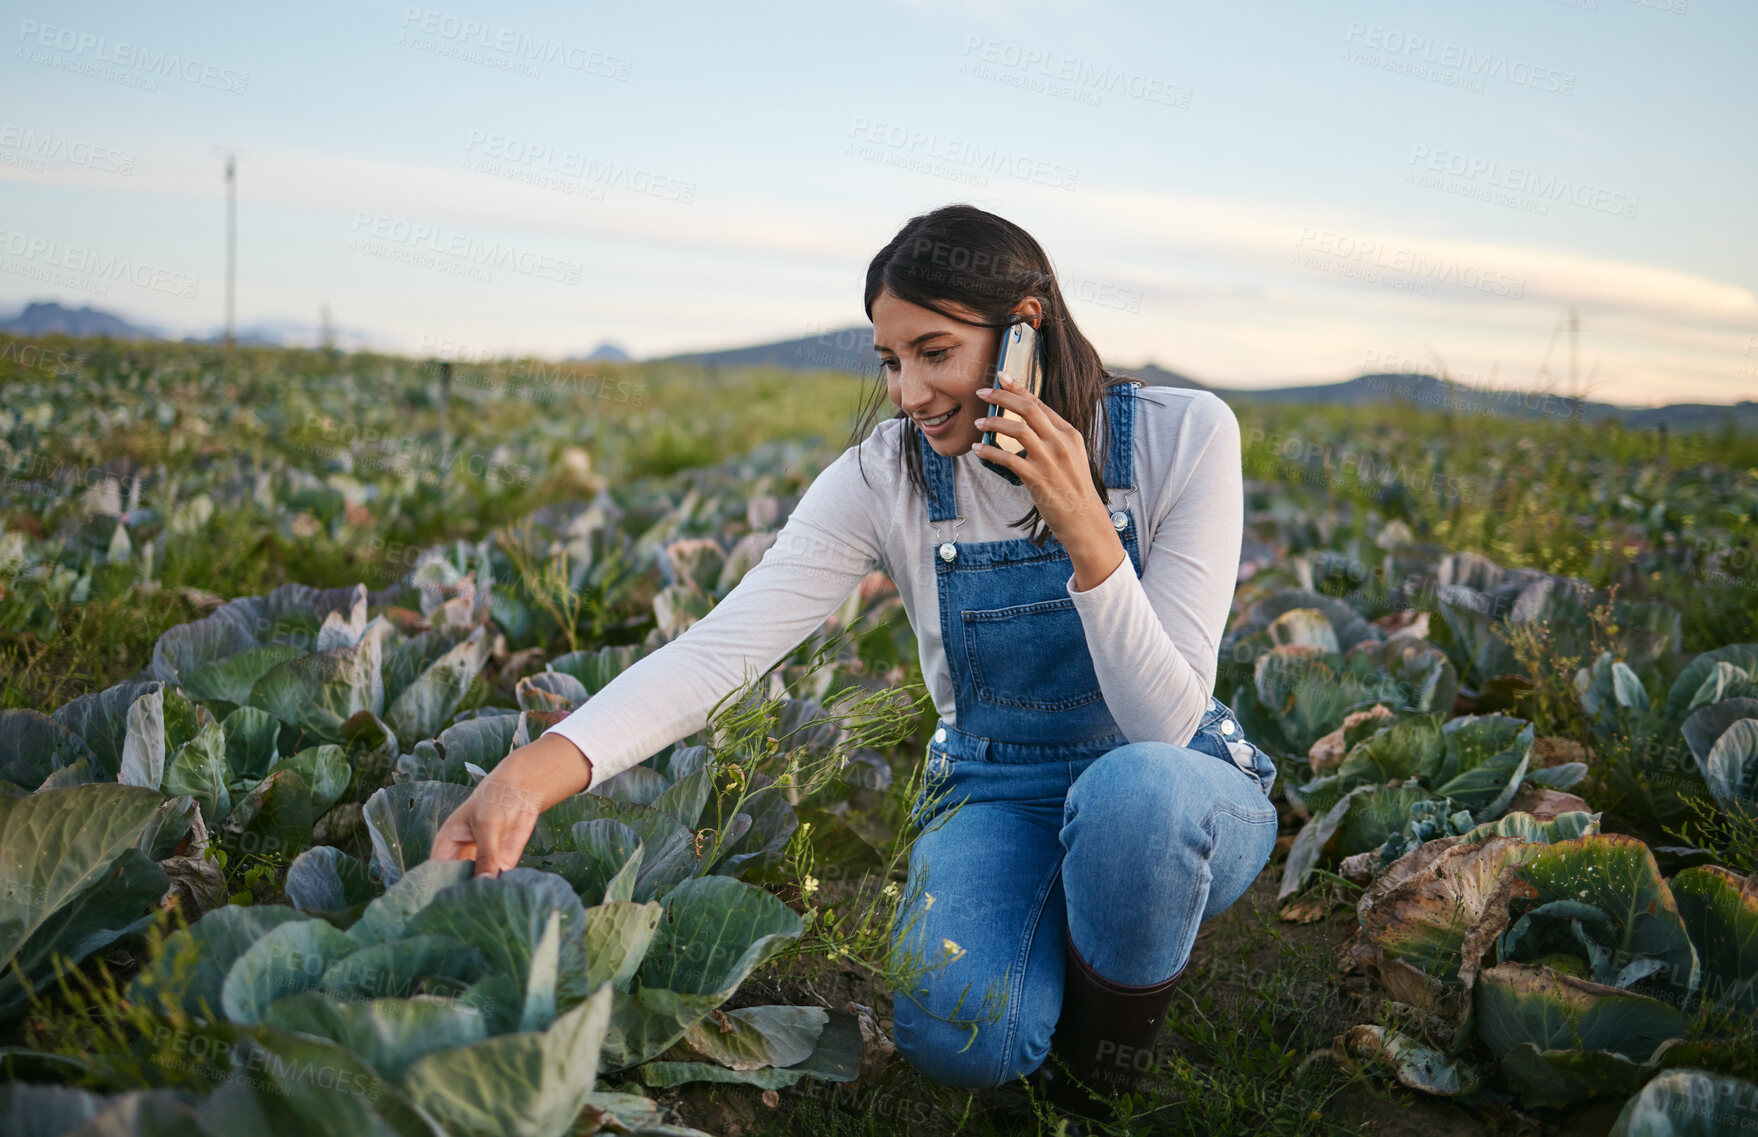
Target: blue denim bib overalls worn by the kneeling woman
(1061,820)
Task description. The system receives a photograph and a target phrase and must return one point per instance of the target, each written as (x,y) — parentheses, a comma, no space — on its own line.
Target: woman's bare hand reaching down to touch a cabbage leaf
(495,823)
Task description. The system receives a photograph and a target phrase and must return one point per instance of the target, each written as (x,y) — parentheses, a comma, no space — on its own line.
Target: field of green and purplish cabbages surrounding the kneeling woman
(266,621)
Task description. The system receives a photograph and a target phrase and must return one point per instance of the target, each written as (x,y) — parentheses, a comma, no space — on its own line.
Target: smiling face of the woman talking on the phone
(936,365)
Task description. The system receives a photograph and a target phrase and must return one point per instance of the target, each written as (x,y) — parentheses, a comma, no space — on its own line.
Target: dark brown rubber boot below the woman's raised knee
(1103,1039)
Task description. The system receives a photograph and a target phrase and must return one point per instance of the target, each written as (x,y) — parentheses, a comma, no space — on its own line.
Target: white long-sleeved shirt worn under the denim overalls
(1154,639)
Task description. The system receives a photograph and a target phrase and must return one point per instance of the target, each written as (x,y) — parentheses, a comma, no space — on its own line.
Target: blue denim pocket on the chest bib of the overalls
(1008,663)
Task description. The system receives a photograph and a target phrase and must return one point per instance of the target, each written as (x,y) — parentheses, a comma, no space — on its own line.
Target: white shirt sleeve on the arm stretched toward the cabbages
(820,556)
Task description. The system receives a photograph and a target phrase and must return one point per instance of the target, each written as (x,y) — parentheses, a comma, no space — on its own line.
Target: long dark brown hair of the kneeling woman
(989,264)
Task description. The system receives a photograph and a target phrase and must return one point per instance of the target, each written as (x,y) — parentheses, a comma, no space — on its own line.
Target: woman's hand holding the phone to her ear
(1054,467)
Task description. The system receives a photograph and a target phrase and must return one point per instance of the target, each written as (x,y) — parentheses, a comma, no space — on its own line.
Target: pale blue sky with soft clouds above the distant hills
(1253,194)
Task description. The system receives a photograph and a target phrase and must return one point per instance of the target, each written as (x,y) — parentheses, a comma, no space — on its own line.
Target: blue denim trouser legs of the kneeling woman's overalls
(1131,851)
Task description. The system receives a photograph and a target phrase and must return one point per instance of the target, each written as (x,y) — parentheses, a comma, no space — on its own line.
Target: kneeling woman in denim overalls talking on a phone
(1108,804)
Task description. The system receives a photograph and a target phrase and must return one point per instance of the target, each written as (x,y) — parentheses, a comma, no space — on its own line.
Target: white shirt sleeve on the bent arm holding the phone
(1156,641)
